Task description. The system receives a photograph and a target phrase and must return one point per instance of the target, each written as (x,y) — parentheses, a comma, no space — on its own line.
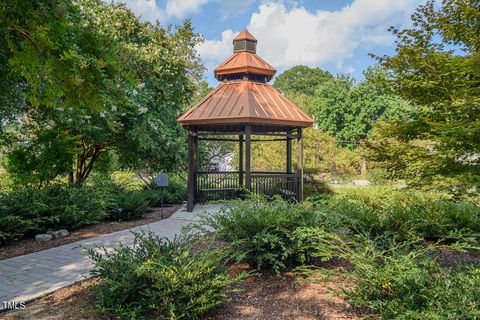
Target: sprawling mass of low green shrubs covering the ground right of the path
(388,237)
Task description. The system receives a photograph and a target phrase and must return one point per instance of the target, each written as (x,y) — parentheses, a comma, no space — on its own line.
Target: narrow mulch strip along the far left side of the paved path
(25,246)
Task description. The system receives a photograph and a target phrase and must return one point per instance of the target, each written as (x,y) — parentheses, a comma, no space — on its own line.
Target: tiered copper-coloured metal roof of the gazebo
(244,96)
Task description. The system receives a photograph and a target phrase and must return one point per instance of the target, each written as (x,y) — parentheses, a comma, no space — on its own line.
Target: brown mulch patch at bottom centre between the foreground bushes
(265,296)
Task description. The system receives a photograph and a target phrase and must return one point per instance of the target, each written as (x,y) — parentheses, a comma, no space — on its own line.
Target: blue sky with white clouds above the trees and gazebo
(335,35)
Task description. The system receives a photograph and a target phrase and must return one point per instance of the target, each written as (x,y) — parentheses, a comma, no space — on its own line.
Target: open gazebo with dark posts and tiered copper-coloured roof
(241,107)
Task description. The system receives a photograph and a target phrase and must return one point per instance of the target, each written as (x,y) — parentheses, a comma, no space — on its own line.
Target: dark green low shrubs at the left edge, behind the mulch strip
(27,211)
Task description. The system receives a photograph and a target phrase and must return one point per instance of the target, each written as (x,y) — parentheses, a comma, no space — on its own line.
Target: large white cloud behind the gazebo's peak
(294,36)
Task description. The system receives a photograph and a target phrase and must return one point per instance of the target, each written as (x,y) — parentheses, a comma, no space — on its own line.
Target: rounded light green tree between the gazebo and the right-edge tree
(347,110)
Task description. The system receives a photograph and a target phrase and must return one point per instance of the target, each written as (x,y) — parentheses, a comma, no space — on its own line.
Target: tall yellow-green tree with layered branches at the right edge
(437,68)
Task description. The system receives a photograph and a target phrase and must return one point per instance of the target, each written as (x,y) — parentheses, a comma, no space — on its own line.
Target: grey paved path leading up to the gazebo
(28,277)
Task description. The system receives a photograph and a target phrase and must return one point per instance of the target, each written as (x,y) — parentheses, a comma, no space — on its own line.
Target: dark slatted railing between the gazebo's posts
(211,186)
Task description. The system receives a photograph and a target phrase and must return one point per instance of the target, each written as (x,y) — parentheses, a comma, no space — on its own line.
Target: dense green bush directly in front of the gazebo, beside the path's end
(269,234)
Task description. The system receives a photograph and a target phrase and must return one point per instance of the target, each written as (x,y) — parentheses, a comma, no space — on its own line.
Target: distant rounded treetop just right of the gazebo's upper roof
(301,80)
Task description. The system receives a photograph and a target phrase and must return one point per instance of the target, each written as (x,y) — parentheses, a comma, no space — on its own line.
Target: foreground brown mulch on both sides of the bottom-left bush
(262,297)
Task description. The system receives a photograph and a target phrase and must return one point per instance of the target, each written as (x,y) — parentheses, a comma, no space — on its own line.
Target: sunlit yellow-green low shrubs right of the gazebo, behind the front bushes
(403,213)
